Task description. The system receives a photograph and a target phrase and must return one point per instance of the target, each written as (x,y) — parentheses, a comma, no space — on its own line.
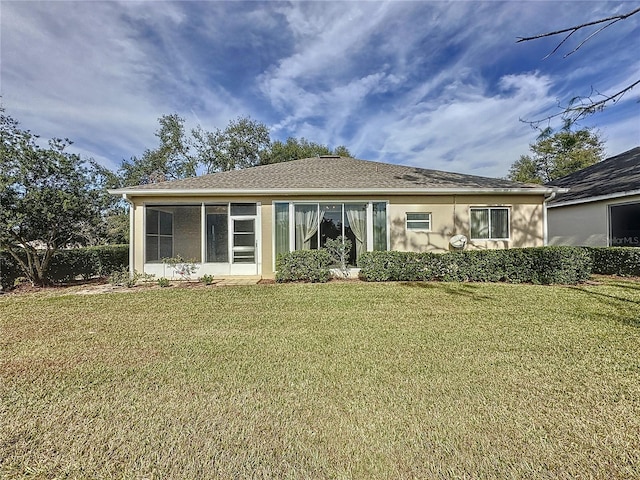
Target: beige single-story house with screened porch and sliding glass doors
(237,222)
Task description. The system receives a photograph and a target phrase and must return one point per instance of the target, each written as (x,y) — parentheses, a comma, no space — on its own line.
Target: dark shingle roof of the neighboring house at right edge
(615,176)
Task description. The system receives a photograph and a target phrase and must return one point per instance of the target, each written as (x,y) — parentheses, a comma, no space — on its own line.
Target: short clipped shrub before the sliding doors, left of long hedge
(304,266)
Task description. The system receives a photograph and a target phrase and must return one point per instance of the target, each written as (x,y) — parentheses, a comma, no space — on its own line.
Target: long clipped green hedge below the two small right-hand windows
(543,265)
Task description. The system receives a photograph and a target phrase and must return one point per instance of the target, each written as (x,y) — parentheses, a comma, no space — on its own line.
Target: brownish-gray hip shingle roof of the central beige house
(330,173)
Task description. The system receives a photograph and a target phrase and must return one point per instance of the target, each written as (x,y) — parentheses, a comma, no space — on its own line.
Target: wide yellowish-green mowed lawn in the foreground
(343,380)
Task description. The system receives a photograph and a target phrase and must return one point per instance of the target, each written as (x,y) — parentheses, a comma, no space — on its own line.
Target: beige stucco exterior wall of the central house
(450,215)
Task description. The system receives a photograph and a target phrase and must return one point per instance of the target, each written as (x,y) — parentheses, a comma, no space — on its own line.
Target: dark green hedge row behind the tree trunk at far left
(66,265)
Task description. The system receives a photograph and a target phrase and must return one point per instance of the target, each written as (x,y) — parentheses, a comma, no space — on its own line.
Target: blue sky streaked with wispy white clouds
(437,85)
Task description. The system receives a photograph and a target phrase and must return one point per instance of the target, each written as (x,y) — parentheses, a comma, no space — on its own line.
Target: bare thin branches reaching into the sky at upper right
(582,106)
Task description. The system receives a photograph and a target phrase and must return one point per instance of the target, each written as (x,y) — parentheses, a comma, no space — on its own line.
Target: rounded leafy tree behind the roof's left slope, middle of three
(240,145)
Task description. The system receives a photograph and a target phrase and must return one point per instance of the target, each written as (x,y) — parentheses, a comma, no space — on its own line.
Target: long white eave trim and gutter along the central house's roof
(216,192)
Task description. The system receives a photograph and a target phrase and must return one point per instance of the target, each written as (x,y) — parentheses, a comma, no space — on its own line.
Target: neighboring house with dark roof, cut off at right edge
(602,206)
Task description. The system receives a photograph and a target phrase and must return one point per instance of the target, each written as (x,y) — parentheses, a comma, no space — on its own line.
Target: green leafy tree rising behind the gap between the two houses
(555,155)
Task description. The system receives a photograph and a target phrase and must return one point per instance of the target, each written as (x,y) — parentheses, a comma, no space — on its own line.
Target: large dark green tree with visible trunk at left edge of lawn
(46,199)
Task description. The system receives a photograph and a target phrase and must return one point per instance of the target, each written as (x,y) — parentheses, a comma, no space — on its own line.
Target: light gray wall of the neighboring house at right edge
(584,224)
